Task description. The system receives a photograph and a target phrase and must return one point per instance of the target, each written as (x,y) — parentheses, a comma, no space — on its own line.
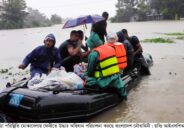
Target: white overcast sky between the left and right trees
(73,8)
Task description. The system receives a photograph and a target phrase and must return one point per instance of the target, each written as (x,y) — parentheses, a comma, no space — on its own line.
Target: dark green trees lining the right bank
(128,10)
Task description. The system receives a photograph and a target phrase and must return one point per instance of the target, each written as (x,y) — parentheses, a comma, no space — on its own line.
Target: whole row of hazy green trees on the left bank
(15,14)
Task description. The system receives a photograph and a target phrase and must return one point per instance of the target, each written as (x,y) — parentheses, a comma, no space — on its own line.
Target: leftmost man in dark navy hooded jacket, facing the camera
(43,58)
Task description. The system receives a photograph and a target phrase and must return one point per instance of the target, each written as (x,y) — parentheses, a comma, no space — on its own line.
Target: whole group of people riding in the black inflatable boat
(106,60)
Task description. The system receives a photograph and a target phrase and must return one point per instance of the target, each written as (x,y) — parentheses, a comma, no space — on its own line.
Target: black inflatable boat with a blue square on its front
(20,104)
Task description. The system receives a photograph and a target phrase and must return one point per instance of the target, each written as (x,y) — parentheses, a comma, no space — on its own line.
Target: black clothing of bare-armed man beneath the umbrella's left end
(68,61)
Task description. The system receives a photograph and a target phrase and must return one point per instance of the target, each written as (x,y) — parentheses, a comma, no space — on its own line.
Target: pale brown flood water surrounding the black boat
(157,98)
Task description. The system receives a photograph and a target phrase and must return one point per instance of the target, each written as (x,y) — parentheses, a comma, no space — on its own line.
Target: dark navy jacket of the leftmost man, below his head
(42,59)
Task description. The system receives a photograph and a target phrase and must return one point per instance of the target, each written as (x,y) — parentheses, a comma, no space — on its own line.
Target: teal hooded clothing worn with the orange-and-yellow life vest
(93,61)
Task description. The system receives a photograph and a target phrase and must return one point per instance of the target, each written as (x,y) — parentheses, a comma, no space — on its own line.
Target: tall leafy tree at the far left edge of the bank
(13,14)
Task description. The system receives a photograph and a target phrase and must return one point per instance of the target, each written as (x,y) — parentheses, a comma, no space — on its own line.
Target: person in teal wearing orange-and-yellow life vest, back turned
(103,70)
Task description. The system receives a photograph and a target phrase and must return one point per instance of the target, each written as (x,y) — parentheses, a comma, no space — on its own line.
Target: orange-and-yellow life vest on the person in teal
(108,64)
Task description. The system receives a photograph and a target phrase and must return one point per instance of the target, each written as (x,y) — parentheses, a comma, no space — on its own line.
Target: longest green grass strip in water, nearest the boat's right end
(158,40)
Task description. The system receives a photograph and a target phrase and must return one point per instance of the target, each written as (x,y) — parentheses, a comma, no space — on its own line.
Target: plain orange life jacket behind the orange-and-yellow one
(120,54)
